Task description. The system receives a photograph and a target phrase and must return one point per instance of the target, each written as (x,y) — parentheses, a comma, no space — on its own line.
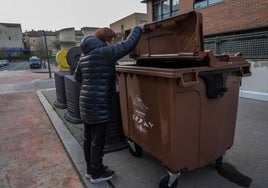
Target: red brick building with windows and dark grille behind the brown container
(228,25)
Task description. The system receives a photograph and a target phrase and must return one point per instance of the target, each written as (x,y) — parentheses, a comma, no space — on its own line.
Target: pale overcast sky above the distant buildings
(60,14)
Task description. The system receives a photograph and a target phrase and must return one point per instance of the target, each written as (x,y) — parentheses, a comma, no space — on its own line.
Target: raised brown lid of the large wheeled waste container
(179,37)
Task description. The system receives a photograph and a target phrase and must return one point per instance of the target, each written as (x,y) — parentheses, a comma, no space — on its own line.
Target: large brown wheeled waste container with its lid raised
(179,102)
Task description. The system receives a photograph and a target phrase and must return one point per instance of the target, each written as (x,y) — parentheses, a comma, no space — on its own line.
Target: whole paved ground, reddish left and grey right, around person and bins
(35,144)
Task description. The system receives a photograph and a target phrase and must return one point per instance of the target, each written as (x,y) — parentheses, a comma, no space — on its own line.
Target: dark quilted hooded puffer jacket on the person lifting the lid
(96,73)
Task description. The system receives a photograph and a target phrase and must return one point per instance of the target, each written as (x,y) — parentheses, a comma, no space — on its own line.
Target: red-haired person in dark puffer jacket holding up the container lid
(96,73)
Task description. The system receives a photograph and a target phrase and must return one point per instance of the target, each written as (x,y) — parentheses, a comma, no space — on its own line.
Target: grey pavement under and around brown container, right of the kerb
(248,154)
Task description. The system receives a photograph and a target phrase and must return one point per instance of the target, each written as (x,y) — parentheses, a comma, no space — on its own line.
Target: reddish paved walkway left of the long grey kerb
(31,153)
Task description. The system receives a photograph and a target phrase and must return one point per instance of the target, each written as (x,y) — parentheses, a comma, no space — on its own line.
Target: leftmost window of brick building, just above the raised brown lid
(165,8)
